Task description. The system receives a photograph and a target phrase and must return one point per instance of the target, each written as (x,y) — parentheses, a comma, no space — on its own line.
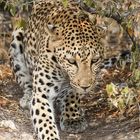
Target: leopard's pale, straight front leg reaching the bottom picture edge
(46,86)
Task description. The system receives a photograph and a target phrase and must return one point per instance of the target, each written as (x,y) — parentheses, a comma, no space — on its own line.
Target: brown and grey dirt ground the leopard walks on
(105,123)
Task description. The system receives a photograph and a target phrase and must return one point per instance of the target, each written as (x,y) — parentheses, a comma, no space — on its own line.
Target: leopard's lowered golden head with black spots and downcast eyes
(79,51)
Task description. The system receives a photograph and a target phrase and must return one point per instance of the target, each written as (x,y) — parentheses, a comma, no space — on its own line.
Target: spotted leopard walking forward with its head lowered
(57,56)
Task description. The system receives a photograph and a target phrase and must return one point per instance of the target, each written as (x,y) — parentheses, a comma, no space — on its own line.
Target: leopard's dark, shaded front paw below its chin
(74,125)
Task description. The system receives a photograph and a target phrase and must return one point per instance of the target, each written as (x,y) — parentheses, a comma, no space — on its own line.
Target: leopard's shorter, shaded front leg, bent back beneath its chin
(72,117)
